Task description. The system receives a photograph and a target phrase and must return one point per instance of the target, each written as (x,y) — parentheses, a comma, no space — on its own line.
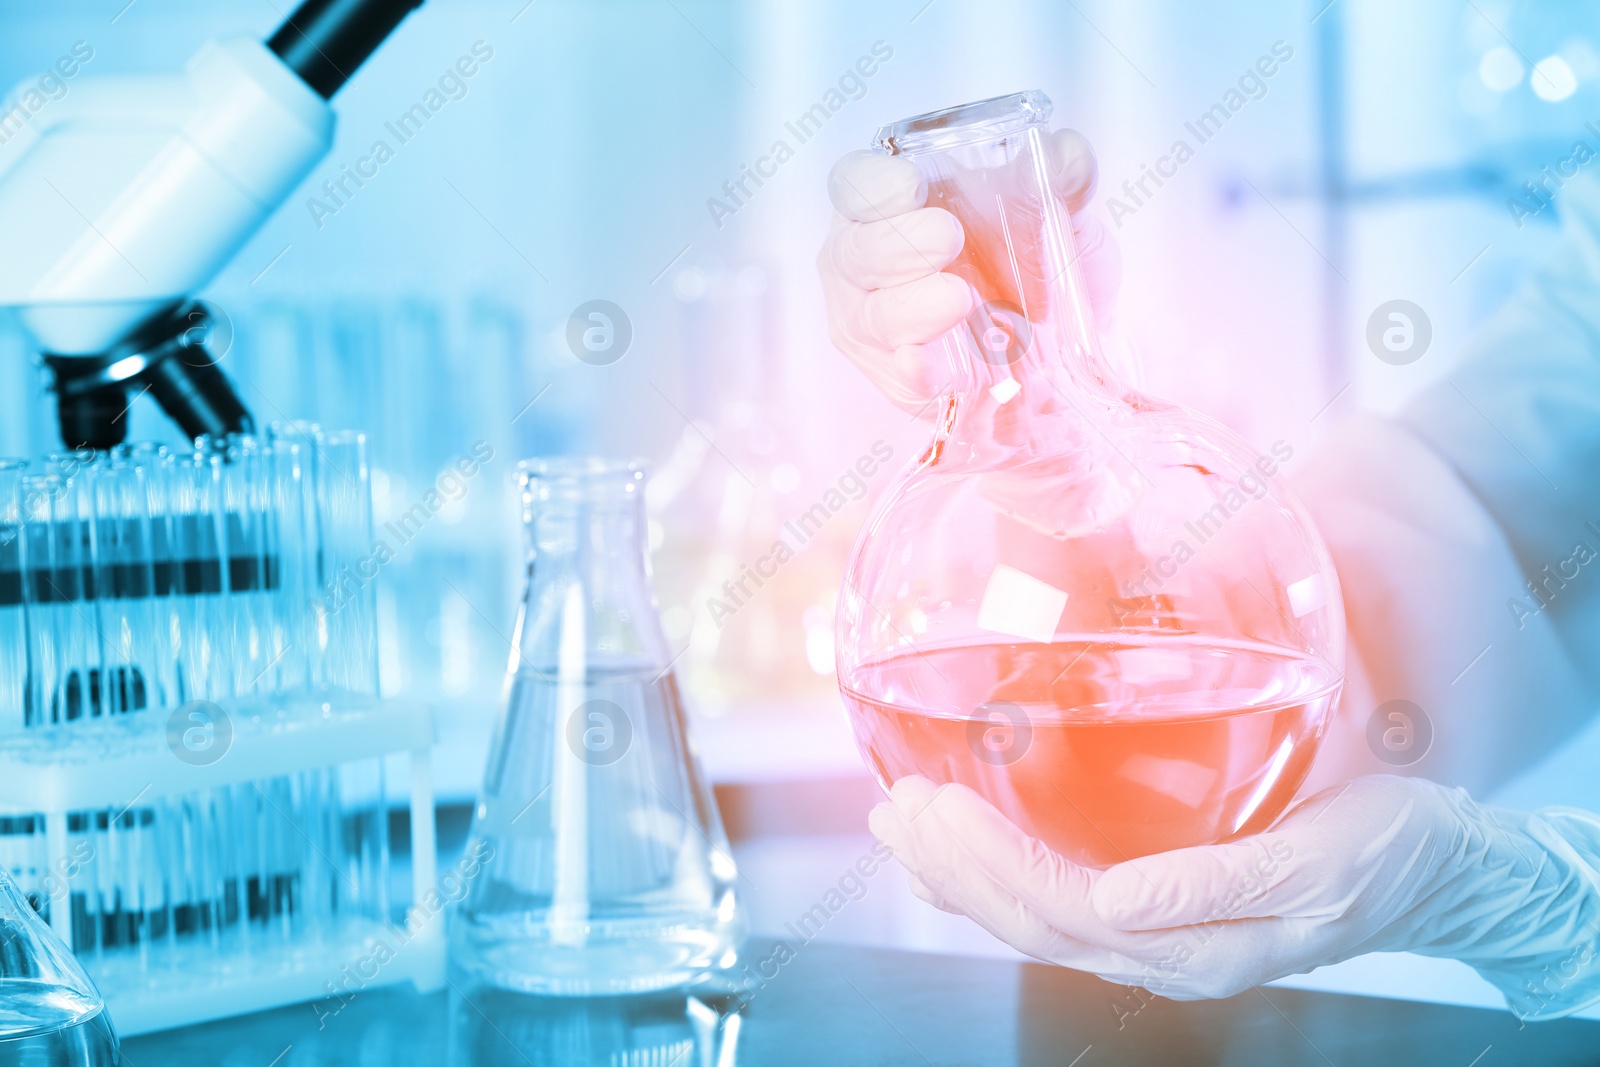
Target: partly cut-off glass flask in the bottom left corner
(50,1012)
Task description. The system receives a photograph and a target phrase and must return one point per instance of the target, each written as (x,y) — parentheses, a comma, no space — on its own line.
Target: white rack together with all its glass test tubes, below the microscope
(193,749)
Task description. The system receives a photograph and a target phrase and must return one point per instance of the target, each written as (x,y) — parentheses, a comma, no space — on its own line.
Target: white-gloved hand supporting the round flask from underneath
(1382,865)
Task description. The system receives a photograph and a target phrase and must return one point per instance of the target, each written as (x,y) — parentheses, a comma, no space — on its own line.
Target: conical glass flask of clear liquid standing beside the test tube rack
(604,866)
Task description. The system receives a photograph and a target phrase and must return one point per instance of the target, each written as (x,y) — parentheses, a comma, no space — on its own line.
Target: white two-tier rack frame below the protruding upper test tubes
(340,933)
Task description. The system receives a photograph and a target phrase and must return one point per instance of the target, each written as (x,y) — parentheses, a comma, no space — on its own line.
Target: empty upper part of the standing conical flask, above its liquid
(590,585)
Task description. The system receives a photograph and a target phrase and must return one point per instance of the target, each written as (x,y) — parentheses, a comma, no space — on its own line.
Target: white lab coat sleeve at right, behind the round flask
(1439,519)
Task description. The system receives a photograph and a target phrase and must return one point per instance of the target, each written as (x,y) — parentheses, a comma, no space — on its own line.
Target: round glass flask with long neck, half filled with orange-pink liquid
(1105,613)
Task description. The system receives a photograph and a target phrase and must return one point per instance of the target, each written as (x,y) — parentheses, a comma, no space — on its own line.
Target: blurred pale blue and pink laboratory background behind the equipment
(628,151)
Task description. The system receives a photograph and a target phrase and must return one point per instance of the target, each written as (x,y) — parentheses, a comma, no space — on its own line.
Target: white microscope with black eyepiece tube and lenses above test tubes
(126,196)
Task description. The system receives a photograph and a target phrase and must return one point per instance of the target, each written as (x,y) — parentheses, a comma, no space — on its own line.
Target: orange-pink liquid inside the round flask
(1106,748)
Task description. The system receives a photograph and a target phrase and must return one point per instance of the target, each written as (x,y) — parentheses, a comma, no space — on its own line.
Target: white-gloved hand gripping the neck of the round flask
(886,252)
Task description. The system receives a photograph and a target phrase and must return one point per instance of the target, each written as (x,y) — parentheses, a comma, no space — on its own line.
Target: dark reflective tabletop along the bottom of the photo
(839,1005)
